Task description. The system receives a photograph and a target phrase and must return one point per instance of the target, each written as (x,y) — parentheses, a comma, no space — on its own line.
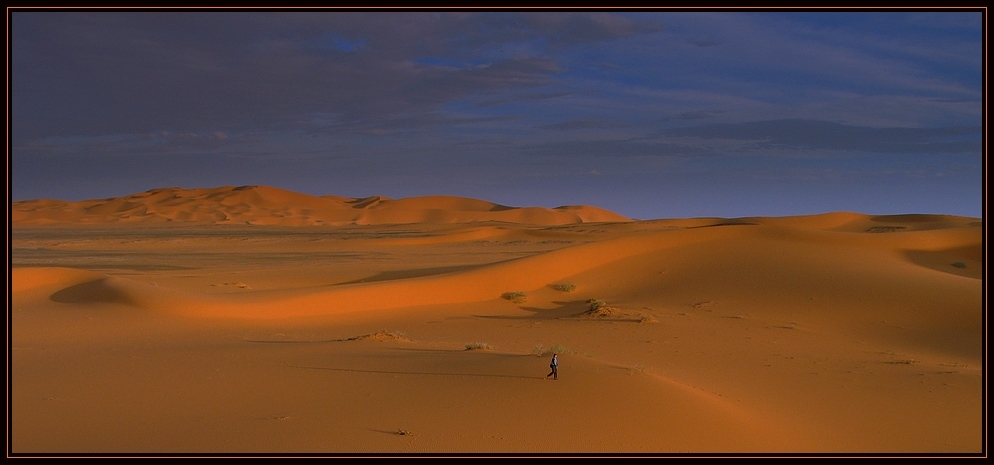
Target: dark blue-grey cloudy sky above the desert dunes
(648,113)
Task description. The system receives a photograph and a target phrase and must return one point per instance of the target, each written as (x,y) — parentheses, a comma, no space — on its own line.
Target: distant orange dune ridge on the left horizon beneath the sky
(263,205)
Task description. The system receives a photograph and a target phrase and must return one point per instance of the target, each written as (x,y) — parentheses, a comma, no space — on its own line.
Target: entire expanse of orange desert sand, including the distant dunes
(153,324)
